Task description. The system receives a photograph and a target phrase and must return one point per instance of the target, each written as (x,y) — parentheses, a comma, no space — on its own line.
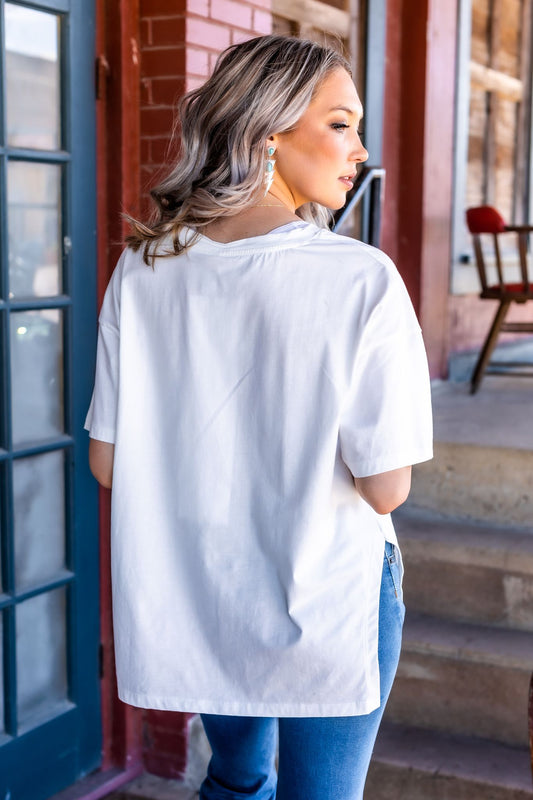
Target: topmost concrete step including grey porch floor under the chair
(483,450)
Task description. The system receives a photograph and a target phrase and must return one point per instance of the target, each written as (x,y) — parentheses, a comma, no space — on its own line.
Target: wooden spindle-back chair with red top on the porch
(486,219)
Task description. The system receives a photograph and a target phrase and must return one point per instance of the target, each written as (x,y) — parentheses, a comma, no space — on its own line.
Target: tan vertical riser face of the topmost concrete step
(476,482)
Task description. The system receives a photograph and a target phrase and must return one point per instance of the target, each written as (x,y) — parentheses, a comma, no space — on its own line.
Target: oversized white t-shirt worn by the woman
(243,385)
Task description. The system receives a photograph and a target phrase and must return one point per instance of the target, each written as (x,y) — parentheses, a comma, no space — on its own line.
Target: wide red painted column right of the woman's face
(418,157)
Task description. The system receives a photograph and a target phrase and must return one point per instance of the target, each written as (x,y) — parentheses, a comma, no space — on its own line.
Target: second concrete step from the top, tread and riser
(468,572)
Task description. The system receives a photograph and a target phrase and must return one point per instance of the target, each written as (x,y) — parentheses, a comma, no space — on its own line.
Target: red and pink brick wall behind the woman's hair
(180,41)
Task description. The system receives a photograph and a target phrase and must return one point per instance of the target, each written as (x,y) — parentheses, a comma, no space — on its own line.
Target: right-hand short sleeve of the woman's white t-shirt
(386,420)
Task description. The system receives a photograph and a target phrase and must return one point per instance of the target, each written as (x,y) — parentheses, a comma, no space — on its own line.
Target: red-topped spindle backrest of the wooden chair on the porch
(486,219)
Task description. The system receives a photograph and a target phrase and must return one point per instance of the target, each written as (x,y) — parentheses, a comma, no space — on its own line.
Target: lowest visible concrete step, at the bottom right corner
(413,764)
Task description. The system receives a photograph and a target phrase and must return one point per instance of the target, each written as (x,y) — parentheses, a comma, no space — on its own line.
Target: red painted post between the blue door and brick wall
(117,120)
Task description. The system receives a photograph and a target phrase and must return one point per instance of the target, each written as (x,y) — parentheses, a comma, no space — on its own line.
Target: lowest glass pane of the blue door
(41,644)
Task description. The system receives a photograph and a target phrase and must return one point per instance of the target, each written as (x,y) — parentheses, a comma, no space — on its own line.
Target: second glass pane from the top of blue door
(34,226)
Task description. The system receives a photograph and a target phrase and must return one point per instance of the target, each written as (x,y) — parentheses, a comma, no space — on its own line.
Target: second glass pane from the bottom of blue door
(39,501)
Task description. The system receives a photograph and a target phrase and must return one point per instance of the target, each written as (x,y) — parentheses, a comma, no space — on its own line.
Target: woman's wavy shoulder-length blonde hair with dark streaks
(258,87)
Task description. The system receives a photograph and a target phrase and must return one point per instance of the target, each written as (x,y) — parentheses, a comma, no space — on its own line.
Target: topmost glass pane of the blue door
(32,78)
